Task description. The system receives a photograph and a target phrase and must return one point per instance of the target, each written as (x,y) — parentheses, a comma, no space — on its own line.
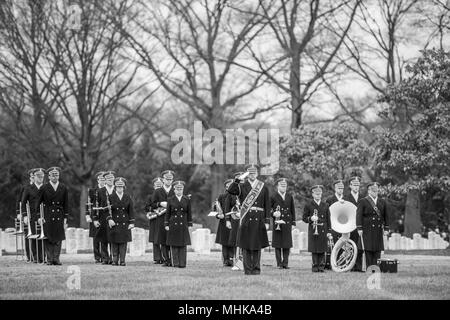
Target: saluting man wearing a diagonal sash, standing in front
(255,218)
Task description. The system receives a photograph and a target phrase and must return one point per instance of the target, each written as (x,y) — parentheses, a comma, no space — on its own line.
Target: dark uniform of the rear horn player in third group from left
(160,236)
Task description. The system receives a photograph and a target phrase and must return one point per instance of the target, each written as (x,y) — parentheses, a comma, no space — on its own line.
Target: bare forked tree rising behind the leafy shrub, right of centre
(307,37)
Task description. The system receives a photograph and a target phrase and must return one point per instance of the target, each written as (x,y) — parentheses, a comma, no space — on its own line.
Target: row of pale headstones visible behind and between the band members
(203,241)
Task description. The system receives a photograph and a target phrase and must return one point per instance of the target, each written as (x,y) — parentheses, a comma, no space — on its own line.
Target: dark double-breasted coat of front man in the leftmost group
(56,209)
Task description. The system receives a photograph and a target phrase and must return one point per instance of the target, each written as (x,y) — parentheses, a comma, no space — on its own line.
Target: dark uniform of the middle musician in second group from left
(102,231)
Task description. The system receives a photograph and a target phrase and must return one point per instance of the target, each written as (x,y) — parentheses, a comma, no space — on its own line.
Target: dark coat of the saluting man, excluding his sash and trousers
(252,233)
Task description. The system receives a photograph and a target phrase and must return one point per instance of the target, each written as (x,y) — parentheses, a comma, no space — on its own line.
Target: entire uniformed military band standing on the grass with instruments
(244,209)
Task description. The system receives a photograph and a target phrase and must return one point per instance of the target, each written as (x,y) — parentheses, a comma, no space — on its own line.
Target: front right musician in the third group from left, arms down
(177,221)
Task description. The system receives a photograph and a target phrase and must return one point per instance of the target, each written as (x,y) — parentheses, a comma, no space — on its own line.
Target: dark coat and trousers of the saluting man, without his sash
(252,233)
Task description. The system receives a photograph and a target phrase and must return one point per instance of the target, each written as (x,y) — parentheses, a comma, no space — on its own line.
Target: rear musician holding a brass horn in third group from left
(159,202)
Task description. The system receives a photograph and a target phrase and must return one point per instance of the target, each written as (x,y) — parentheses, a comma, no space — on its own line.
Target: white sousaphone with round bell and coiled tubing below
(345,251)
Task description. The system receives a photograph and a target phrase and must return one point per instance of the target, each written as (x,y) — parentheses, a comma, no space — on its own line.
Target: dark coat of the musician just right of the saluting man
(283,238)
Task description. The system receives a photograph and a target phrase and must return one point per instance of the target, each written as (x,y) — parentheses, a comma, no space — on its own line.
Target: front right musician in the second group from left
(120,222)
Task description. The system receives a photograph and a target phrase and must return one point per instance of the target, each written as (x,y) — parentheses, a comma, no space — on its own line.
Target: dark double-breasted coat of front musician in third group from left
(178,218)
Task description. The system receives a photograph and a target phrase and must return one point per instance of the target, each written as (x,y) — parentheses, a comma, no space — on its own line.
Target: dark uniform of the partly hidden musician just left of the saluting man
(223,233)
